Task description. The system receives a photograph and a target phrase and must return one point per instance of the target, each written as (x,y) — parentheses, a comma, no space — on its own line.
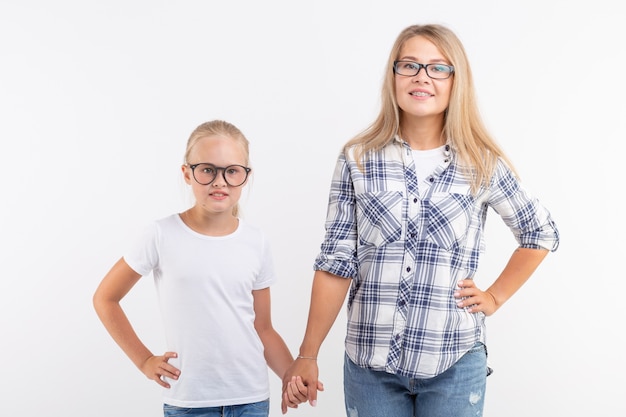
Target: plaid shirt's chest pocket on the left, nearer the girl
(379,217)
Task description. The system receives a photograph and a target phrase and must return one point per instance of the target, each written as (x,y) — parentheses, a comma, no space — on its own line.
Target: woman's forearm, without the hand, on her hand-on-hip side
(520,267)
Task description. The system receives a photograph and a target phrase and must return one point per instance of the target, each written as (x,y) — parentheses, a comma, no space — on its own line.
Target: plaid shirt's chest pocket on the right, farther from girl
(449,217)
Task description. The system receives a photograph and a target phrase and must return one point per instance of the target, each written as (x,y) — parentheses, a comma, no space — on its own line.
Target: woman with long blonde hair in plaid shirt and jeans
(407,208)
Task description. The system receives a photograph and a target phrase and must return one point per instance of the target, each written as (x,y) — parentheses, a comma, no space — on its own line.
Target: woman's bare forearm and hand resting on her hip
(520,267)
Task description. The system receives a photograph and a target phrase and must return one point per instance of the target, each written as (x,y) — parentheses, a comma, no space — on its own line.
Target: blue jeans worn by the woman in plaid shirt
(458,392)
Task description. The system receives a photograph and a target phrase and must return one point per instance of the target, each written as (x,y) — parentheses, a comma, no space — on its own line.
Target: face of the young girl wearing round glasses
(217,197)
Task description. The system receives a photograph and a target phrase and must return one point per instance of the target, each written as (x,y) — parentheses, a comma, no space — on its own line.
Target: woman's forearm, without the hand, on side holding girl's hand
(327,297)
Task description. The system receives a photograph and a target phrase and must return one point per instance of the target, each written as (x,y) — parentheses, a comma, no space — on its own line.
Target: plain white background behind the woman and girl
(97,99)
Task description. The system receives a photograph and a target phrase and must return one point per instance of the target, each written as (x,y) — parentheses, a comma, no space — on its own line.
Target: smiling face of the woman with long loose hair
(420,96)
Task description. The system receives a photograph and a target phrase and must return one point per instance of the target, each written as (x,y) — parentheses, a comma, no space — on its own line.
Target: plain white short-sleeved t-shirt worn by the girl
(204,286)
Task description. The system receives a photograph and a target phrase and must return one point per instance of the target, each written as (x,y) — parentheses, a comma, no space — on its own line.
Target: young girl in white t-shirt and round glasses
(212,272)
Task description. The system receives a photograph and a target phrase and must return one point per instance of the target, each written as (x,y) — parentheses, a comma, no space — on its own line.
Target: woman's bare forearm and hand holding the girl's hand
(327,297)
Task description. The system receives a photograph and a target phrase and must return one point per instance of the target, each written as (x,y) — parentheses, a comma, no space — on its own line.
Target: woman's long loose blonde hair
(463,128)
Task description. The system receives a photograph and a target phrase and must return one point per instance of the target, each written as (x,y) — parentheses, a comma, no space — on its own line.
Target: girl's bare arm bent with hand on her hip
(106,300)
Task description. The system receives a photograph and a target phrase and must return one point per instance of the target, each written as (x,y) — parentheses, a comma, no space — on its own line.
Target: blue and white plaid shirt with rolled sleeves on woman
(405,248)
